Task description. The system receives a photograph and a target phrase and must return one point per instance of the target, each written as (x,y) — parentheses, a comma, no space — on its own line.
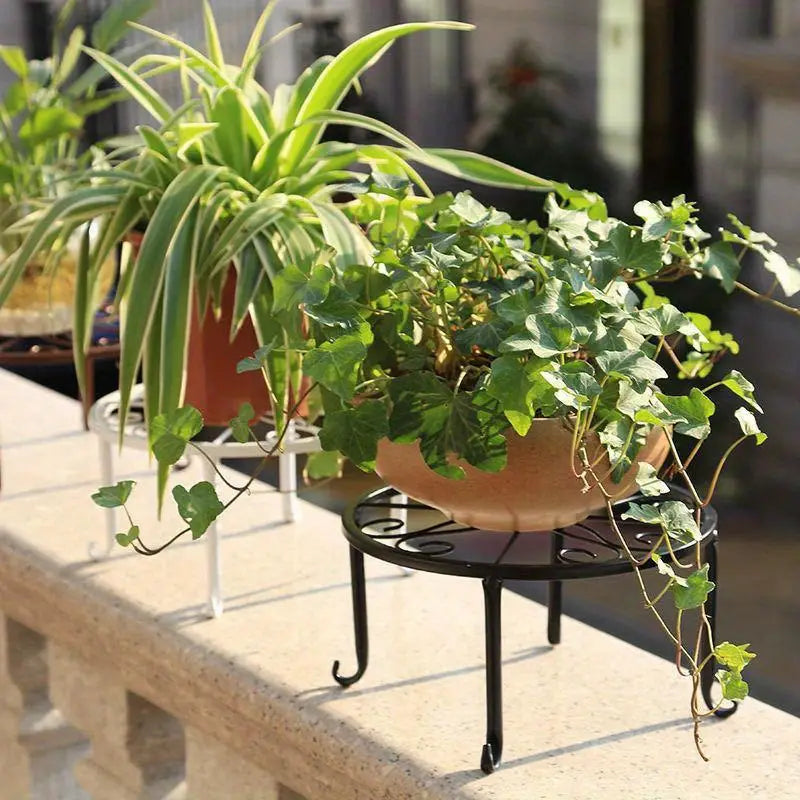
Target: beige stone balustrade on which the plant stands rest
(114,685)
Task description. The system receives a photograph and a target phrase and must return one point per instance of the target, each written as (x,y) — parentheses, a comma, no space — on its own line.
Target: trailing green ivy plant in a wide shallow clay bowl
(513,375)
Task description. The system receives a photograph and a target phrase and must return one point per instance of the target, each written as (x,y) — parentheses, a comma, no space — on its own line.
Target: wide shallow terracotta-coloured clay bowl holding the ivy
(537,491)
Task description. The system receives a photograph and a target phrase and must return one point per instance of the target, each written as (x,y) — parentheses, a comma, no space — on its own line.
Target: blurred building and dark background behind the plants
(633,98)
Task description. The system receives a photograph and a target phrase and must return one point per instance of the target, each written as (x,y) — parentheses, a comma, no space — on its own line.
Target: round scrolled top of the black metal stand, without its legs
(385,525)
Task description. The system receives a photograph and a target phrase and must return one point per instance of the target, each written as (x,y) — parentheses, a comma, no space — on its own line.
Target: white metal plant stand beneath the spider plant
(104,421)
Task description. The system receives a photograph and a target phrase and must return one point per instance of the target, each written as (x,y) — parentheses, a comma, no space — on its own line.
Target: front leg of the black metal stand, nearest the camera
(493,748)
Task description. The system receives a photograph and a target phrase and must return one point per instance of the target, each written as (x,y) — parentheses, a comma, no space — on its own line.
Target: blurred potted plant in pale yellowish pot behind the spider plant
(42,121)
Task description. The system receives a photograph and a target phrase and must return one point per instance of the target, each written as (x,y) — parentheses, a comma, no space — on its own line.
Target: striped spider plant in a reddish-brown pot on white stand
(234,188)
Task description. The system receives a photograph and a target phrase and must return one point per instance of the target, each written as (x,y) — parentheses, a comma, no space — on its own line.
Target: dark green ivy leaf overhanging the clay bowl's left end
(355,432)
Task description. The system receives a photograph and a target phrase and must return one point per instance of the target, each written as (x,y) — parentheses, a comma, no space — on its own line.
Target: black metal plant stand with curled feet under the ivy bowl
(387,526)
